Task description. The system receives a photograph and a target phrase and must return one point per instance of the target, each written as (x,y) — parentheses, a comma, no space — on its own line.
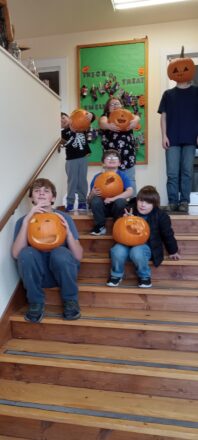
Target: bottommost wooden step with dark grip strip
(53,409)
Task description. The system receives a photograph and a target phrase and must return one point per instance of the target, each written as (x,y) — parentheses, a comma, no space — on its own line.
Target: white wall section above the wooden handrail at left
(29,126)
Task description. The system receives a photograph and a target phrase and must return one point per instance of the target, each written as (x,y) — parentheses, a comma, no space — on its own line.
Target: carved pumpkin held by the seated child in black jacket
(131,230)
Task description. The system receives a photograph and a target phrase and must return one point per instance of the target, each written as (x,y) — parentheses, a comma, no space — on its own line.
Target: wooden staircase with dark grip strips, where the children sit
(127,370)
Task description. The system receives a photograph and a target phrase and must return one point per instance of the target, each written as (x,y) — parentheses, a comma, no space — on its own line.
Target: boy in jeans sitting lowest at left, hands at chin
(40,269)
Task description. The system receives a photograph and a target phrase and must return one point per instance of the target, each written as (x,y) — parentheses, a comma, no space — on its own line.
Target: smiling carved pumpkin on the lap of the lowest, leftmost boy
(46,231)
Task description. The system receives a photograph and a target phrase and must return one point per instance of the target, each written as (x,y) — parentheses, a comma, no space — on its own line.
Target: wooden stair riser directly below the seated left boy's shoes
(152,339)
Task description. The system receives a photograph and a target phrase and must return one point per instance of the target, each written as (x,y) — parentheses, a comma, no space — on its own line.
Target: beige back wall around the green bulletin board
(163,39)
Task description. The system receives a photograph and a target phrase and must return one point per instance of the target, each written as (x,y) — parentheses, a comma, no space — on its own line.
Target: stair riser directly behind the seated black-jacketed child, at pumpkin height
(97,247)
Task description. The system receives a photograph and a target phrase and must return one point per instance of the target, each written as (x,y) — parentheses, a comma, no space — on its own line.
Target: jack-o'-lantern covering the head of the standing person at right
(181,69)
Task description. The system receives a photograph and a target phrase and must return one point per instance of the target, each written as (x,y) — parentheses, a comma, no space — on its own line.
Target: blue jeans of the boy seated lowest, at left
(48,269)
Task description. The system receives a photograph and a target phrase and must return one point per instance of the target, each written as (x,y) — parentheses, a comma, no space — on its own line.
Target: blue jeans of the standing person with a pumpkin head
(179,168)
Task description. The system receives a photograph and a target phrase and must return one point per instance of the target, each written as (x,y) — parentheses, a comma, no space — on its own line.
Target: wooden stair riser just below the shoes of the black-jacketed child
(131,301)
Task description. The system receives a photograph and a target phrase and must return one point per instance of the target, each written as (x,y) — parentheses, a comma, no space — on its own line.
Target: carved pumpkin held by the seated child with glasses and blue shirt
(109,183)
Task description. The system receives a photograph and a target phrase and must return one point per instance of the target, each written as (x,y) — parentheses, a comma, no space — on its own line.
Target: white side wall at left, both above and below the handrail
(29,127)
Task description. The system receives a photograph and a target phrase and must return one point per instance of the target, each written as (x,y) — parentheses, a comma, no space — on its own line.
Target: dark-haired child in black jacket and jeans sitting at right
(145,205)
